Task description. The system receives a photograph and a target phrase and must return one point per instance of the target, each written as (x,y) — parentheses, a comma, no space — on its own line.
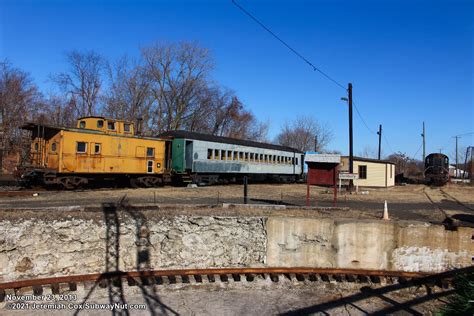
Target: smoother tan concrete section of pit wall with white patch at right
(364,244)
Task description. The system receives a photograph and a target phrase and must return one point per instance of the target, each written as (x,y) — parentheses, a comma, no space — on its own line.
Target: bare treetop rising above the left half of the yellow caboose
(82,83)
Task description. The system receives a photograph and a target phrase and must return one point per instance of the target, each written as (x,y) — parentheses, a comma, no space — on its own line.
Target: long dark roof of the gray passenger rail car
(226,140)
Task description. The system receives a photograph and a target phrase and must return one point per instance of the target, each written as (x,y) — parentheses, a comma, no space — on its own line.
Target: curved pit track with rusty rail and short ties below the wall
(62,284)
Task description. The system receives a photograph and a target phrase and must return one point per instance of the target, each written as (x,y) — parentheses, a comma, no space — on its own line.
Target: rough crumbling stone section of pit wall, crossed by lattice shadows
(40,248)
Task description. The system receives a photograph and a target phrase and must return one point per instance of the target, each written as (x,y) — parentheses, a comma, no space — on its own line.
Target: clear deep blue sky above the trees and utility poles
(409,60)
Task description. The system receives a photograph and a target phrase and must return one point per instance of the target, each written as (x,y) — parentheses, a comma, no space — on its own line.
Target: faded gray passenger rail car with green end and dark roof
(209,159)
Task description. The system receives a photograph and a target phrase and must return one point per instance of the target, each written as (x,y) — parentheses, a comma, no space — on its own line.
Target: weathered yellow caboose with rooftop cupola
(98,149)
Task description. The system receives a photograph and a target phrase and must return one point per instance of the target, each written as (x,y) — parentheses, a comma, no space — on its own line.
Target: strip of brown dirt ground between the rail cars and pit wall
(410,202)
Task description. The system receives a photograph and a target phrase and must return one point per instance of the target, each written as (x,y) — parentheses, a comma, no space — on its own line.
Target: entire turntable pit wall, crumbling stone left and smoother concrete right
(79,244)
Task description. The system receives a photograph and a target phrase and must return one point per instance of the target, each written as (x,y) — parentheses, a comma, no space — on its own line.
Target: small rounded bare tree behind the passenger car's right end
(301,133)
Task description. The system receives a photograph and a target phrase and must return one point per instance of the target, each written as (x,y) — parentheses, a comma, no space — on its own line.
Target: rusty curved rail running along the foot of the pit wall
(134,277)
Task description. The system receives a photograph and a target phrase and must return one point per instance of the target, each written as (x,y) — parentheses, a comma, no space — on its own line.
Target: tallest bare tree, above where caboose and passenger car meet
(177,75)
